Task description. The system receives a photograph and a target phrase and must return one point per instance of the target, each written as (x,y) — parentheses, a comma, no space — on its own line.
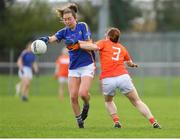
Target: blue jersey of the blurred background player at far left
(28,58)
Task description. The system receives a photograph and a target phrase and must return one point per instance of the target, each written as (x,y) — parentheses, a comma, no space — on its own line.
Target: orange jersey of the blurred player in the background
(63,63)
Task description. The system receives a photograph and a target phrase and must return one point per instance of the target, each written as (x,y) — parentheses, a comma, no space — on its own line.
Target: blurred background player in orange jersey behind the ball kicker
(61,72)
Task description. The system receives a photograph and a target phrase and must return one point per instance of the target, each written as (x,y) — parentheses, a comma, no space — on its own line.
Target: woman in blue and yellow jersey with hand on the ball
(81,67)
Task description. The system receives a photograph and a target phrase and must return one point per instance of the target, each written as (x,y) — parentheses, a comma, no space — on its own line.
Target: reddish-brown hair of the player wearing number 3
(113,34)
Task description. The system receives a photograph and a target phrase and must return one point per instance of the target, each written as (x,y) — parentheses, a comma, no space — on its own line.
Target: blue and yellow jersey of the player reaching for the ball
(78,57)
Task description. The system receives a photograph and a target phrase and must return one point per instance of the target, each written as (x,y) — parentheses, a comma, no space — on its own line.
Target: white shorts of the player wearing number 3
(122,82)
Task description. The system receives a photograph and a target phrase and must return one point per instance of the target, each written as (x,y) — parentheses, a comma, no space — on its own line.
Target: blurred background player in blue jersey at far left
(26,64)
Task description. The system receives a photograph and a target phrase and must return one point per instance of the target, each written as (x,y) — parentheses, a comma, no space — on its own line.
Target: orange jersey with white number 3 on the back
(112,58)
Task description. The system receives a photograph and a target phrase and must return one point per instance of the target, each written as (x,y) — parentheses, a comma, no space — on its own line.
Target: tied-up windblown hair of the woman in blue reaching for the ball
(70,8)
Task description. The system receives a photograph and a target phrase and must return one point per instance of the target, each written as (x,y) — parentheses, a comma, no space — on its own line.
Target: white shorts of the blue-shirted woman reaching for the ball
(83,71)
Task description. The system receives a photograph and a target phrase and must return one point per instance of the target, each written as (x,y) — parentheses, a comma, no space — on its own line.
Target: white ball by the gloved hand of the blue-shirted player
(38,47)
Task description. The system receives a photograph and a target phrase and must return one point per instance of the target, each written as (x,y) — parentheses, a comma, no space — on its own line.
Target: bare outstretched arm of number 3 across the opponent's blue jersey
(88,45)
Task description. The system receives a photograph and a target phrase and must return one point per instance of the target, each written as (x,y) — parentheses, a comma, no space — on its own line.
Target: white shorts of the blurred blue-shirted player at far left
(25,73)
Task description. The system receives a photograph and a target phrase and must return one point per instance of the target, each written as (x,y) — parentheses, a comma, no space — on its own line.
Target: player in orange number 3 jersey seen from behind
(114,75)
